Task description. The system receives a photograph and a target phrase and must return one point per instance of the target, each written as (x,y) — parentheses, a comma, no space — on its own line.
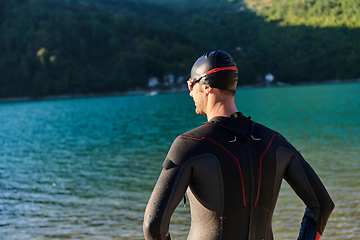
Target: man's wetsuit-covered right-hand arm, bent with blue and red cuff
(307,185)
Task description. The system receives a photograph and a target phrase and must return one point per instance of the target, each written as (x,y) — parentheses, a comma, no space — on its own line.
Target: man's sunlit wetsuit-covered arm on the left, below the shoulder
(168,192)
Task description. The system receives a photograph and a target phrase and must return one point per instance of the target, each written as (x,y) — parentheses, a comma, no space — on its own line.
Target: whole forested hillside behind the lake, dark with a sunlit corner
(54,47)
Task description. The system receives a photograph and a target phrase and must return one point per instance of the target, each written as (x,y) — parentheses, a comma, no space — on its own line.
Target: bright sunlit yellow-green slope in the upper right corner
(316,13)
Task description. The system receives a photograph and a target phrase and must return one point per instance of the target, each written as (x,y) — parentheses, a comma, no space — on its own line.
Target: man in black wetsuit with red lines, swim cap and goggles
(232,168)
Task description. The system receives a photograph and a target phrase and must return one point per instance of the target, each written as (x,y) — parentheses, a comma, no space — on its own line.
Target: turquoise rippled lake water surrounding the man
(85,168)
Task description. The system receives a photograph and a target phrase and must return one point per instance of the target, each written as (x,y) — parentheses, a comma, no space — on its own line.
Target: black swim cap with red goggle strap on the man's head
(216,69)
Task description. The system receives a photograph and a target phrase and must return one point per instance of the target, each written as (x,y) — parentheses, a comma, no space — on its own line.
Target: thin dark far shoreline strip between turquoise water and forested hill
(152,92)
